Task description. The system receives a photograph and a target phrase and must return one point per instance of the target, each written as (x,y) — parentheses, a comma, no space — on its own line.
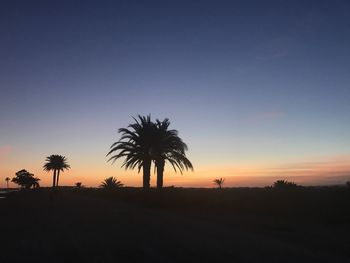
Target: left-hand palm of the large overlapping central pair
(135,145)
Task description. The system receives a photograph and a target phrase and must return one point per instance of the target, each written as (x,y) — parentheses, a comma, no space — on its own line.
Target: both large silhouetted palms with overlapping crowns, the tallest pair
(146,141)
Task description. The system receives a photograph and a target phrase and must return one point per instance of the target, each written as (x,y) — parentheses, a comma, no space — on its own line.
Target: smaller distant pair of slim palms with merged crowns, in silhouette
(56,163)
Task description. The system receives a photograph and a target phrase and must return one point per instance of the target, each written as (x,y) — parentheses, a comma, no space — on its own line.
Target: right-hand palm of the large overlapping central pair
(168,146)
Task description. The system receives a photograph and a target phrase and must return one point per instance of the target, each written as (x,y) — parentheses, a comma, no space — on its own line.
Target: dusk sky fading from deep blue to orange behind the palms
(259,90)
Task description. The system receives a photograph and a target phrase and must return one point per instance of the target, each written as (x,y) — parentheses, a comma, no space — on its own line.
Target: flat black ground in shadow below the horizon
(176,225)
